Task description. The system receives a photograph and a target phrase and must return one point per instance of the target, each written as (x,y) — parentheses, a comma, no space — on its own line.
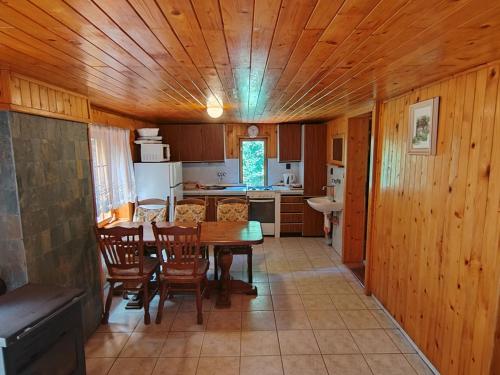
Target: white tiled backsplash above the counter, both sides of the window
(206,173)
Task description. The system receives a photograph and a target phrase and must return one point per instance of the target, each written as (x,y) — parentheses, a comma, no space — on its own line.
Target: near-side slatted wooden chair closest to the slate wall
(123,253)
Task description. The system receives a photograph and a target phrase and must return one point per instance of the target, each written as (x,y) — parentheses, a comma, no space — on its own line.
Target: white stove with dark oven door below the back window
(265,207)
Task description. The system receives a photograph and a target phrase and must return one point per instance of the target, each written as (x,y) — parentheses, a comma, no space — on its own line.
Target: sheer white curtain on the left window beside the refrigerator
(114,182)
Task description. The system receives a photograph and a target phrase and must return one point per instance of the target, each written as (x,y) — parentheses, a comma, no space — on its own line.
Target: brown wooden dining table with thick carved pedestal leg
(215,233)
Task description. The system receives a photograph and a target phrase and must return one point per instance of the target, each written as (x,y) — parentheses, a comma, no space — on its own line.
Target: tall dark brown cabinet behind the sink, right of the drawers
(314,176)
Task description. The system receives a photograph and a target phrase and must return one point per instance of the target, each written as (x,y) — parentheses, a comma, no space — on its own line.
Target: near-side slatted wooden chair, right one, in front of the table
(182,267)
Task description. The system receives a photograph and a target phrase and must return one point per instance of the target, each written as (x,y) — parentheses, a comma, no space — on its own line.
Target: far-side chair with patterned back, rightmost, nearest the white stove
(233,209)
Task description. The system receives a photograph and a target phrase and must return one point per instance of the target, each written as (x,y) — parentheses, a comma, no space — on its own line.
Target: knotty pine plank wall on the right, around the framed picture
(435,258)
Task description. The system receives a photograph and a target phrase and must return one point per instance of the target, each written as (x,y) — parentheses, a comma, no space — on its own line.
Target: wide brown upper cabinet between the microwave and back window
(194,142)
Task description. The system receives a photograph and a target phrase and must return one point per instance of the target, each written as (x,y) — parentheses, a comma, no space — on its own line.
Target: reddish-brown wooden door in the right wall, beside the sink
(356,196)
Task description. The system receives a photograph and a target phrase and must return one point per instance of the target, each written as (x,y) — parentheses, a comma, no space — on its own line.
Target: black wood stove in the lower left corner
(41,331)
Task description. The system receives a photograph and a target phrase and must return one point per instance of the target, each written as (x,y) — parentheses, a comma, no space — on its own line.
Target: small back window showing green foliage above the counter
(253,162)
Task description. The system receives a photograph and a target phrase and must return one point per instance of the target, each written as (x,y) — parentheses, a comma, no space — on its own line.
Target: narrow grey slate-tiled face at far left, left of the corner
(12,256)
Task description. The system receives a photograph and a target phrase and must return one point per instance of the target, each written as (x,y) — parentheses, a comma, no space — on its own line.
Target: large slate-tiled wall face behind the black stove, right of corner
(54,187)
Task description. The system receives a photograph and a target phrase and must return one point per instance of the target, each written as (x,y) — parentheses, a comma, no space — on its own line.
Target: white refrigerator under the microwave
(159,180)
